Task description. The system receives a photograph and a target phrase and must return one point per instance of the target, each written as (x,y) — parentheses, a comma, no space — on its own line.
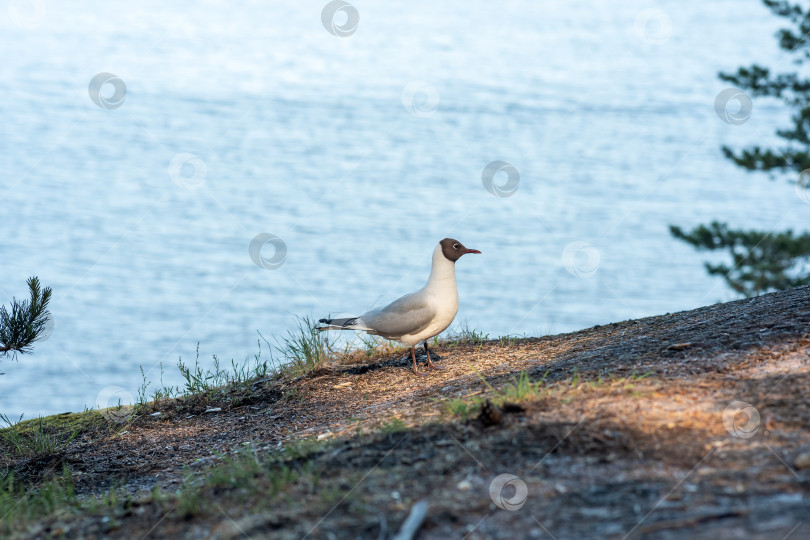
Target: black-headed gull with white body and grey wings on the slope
(420,315)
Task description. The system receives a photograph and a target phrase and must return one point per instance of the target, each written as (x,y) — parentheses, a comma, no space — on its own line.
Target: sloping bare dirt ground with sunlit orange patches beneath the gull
(685,425)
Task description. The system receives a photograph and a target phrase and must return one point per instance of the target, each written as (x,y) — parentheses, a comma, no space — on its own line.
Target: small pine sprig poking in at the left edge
(24,324)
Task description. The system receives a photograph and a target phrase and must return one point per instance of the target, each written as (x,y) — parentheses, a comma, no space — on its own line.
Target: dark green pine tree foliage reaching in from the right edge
(760,260)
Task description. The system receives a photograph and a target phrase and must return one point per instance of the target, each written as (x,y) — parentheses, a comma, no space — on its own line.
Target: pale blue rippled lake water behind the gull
(359,153)
